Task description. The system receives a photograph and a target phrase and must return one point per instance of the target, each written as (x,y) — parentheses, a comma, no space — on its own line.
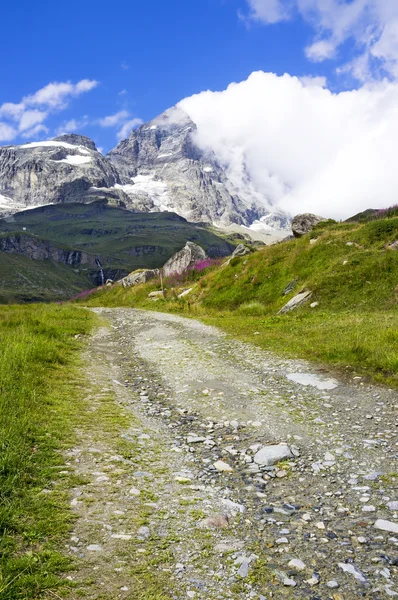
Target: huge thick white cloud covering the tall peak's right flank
(305,148)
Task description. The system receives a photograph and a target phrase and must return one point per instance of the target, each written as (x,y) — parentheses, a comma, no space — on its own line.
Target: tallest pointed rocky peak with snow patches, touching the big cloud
(162,168)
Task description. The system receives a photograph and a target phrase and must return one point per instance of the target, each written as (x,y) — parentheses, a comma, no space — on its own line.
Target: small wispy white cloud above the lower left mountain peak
(28,115)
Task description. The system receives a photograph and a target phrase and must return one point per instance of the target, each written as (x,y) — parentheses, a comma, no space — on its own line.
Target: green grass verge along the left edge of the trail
(39,397)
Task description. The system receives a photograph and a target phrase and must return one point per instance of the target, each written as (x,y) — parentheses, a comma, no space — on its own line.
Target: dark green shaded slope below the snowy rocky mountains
(93,240)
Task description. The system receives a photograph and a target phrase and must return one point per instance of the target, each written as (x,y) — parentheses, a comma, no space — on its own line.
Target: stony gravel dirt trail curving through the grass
(171,397)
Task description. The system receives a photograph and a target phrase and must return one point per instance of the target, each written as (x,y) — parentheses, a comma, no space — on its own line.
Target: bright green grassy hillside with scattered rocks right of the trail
(353,276)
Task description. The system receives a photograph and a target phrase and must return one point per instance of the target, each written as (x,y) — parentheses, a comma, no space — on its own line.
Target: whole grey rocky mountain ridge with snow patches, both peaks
(159,167)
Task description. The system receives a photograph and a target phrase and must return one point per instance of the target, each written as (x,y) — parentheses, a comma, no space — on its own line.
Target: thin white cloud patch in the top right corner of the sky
(371,24)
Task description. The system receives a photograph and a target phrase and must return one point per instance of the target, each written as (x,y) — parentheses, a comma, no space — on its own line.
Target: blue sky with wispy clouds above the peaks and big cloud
(143,57)
